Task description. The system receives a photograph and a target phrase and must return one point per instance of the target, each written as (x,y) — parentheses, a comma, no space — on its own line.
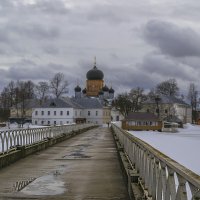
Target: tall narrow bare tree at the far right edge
(193,98)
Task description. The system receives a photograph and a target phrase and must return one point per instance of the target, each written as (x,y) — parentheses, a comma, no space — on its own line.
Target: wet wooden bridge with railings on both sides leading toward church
(89,162)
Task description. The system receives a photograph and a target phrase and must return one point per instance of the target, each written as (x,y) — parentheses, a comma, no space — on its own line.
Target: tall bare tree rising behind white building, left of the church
(58,85)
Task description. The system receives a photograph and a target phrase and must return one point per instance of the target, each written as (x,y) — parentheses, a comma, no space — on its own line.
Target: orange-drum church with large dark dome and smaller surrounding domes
(95,86)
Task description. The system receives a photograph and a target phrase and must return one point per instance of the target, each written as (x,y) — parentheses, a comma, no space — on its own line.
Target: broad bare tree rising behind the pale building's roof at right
(168,88)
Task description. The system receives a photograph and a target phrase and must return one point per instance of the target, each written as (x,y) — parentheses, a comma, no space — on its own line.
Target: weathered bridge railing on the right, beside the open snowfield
(160,177)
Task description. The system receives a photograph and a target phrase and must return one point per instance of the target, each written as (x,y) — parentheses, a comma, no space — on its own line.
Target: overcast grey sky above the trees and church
(136,43)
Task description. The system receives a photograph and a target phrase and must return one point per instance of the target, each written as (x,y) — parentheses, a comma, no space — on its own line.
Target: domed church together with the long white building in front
(90,105)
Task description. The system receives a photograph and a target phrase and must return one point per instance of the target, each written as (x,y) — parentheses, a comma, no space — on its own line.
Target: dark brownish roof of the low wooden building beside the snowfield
(141,116)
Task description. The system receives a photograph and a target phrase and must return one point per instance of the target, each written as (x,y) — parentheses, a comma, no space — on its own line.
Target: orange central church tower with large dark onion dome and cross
(94,81)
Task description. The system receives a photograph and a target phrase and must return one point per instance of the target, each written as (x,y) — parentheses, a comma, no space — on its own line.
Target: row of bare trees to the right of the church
(134,100)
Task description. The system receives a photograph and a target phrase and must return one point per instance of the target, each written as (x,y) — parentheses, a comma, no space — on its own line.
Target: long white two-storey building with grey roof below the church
(71,110)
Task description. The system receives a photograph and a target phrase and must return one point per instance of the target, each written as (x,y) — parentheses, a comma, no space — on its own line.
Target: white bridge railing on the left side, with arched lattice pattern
(11,138)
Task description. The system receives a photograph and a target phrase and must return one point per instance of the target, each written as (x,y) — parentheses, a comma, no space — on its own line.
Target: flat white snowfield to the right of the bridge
(183,146)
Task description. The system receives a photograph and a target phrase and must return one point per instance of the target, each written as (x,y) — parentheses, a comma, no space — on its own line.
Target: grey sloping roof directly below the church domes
(88,103)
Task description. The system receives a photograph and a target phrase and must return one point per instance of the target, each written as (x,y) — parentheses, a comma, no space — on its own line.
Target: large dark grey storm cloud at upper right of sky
(171,39)
